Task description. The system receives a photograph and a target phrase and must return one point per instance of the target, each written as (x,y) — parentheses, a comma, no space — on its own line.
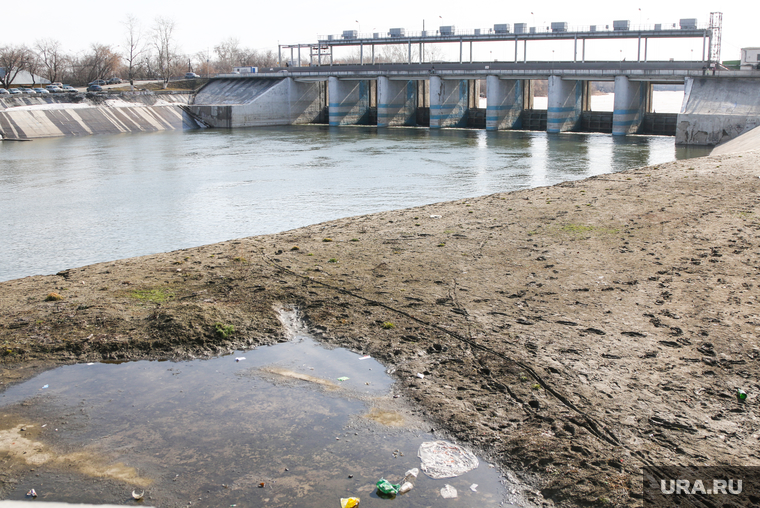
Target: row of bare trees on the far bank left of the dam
(145,54)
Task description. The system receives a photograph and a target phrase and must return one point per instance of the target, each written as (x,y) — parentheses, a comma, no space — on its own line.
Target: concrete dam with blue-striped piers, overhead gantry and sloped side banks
(719,104)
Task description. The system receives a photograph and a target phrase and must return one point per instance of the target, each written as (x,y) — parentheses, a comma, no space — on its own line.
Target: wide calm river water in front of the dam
(68,202)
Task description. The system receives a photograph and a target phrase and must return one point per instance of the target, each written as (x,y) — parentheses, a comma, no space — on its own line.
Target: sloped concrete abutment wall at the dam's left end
(253,102)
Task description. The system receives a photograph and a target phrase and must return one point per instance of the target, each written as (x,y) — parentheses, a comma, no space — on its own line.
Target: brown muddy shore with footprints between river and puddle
(573,333)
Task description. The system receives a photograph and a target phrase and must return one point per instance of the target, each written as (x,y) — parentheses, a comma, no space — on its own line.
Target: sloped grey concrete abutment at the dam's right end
(715,110)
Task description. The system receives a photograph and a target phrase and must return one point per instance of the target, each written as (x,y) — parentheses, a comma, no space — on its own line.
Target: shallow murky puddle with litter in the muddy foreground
(209,432)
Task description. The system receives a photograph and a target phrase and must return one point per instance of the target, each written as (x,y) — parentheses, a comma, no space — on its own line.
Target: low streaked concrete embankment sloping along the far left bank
(79,115)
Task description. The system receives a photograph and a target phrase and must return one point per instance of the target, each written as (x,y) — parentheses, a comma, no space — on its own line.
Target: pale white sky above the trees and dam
(262,25)
